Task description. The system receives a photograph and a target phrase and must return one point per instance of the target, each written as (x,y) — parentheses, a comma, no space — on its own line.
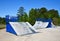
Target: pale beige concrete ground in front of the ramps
(49,34)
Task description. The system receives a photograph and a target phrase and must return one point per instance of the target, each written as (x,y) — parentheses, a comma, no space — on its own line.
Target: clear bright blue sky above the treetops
(10,7)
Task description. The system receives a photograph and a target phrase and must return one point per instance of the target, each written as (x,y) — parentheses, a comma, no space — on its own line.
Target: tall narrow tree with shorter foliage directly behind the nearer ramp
(22,16)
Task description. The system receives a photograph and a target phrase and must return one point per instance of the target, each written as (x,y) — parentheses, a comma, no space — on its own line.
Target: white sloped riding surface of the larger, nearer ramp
(22,28)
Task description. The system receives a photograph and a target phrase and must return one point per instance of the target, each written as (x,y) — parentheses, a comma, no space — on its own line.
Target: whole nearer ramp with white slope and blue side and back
(18,28)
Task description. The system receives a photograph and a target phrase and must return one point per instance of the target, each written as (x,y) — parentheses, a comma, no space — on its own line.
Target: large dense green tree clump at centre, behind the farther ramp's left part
(36,13)
